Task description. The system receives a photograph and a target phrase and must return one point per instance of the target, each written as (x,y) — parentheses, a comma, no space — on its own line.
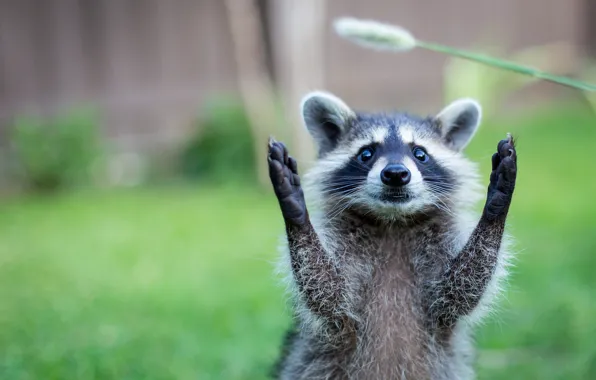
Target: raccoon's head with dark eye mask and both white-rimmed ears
(390,165)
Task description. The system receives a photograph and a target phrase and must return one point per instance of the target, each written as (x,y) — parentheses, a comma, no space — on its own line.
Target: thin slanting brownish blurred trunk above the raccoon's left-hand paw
(255,83)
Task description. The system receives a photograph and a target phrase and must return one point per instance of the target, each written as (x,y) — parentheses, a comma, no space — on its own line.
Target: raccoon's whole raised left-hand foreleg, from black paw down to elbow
(317,277)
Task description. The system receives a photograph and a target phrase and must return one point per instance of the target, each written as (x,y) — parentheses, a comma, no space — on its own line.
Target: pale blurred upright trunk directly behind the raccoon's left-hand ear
(299,35)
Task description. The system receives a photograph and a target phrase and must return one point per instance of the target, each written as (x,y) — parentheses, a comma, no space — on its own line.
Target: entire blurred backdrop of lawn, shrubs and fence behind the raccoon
(138,233)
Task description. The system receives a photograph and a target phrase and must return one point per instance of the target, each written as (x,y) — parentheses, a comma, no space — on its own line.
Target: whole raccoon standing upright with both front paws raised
(389,267)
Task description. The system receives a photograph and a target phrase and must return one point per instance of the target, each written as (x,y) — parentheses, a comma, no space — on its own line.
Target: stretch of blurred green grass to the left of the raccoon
(155,284)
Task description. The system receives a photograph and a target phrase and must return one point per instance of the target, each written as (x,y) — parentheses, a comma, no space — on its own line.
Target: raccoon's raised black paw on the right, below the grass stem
(502,179)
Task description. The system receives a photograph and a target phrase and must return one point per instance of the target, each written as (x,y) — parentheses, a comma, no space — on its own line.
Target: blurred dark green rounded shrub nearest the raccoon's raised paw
(221,147)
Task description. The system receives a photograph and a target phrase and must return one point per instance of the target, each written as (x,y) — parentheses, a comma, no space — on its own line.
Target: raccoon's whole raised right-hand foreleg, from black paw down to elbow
(471,270)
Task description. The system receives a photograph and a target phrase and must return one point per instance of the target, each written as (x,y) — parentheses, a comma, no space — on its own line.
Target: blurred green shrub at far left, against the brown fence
(56,152)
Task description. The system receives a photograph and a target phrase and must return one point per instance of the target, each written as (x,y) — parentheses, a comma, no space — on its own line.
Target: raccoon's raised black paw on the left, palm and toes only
(283,171)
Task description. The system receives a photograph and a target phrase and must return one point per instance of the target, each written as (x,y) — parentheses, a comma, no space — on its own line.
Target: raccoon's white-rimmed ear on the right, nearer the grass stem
(458,122)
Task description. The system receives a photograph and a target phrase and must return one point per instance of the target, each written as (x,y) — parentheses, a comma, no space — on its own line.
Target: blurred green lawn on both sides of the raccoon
(178,283)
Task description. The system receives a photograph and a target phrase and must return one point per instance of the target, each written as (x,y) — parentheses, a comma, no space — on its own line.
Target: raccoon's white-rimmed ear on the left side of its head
(326,117)
